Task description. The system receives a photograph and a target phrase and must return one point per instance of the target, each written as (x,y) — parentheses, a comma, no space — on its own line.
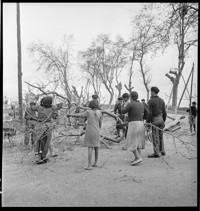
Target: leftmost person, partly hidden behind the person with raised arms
(30,121)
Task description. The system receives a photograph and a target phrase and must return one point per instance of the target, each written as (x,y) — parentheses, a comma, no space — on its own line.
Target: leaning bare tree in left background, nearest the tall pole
(57,62)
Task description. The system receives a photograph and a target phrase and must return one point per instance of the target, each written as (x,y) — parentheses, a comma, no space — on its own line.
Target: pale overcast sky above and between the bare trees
(48,22)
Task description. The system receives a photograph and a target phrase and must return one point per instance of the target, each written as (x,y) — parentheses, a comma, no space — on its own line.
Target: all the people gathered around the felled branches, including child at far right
(128,110)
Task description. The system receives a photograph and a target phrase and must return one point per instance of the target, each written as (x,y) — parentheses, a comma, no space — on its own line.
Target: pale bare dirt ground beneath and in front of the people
(167,181)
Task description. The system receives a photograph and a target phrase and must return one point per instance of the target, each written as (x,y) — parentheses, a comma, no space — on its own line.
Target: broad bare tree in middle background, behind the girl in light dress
(104,61)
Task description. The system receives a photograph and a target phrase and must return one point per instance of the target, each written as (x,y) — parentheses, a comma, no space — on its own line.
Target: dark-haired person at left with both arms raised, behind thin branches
(43,132)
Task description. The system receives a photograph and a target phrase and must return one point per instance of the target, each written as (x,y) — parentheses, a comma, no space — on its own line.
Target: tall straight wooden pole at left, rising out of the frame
(19,65)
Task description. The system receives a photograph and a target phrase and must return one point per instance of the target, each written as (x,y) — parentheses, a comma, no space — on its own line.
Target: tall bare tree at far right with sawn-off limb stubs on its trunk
(182,25)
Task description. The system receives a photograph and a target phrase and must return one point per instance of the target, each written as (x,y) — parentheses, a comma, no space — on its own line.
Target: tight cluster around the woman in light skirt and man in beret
(137,113)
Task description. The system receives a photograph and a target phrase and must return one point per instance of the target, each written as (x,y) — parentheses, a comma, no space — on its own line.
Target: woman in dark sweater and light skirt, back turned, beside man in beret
(135,139)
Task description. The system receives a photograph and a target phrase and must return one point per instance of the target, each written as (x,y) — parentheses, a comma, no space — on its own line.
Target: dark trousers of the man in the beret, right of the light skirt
(157,135)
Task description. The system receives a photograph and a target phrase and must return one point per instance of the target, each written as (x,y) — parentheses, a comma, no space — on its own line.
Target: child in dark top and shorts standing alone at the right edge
(192,117)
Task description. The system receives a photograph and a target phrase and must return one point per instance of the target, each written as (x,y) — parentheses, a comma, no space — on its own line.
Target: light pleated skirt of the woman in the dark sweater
(135,136)
